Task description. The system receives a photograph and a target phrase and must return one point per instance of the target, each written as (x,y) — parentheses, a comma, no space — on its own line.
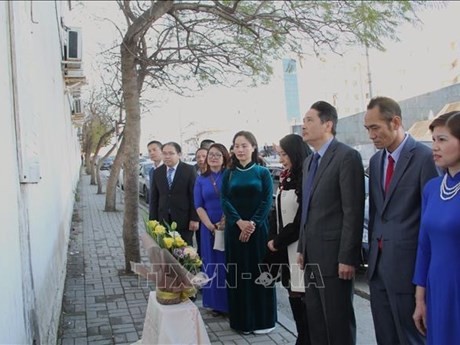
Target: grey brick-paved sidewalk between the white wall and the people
(102,305)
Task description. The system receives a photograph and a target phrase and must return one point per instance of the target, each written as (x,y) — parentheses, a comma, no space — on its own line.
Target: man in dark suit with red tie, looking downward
(398,173)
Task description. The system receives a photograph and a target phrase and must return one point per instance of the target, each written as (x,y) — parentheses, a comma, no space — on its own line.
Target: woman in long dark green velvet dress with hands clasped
(247,192)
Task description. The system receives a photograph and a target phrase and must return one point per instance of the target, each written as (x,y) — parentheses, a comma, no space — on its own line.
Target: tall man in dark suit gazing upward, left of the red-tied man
(331,228)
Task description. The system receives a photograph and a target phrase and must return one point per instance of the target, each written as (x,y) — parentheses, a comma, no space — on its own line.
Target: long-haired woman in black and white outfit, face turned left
(285,225)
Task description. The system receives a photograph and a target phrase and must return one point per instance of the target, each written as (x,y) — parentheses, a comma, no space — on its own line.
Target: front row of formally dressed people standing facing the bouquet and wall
(312,232)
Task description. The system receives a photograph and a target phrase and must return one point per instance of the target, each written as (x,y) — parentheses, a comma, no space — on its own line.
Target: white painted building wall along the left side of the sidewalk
(36,127)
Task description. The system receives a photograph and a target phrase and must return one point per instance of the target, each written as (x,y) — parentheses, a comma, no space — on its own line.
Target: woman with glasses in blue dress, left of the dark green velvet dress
(208,207)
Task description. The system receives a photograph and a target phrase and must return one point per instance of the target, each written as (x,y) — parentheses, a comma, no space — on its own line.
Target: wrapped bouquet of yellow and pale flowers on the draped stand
(175,266)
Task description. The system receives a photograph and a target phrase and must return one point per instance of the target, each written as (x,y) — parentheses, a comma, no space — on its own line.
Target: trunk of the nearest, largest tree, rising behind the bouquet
(131,162)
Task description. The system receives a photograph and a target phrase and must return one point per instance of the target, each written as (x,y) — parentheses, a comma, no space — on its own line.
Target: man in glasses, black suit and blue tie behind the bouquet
(172,193)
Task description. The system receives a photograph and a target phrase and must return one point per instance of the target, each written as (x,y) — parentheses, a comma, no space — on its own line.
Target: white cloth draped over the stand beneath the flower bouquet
(173,324)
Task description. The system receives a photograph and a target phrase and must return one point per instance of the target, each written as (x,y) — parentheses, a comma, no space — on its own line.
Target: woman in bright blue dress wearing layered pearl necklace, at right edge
(437,270)
